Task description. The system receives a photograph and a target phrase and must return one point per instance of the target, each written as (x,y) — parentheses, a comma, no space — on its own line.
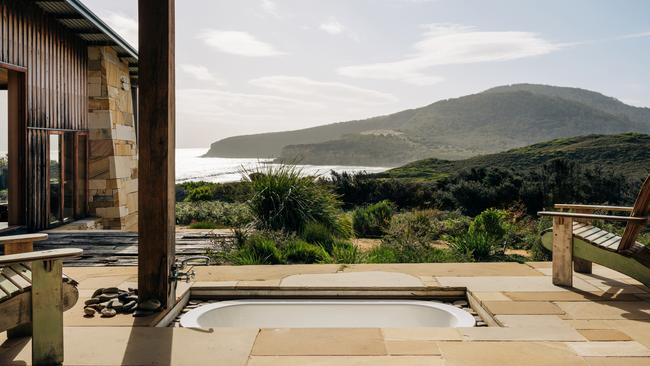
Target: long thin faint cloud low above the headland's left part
(323,90)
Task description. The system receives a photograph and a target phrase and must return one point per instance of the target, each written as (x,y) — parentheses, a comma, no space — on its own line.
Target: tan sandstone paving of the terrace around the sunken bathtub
(604,320)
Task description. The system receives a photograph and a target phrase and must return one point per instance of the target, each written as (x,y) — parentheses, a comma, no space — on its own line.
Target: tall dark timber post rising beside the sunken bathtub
(156,197)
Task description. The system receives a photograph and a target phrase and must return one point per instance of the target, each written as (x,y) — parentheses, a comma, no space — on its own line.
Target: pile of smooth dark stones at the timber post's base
(111,301)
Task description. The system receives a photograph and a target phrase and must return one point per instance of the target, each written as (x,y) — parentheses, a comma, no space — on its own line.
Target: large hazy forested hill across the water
(495,120)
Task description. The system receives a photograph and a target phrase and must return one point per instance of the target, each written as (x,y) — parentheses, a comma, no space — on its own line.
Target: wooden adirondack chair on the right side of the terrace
(574,241)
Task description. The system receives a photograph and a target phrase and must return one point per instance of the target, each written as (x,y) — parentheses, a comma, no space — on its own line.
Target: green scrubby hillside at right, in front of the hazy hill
(625,153)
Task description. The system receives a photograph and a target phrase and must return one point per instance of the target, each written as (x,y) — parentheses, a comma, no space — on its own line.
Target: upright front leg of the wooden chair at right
(562,251)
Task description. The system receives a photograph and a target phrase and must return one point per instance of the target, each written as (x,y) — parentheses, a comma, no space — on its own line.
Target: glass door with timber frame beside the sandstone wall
(68,176)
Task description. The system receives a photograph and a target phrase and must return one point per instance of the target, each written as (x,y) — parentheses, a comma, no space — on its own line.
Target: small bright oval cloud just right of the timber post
(238,43)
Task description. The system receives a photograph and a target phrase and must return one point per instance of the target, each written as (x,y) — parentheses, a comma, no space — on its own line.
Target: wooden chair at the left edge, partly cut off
(33,295)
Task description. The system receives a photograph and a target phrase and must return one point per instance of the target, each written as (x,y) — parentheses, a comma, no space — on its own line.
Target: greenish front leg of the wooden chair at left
(47,312)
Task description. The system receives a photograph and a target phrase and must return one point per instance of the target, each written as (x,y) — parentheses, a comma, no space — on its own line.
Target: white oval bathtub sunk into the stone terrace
(326,314)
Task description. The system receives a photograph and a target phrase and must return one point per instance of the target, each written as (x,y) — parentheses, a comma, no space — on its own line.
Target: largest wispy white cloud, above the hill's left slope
(453,44)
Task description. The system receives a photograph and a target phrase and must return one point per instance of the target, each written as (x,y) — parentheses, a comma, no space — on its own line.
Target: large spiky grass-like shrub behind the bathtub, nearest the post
(283,199)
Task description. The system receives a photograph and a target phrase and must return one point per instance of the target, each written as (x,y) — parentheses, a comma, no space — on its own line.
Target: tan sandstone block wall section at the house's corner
(113,160)
